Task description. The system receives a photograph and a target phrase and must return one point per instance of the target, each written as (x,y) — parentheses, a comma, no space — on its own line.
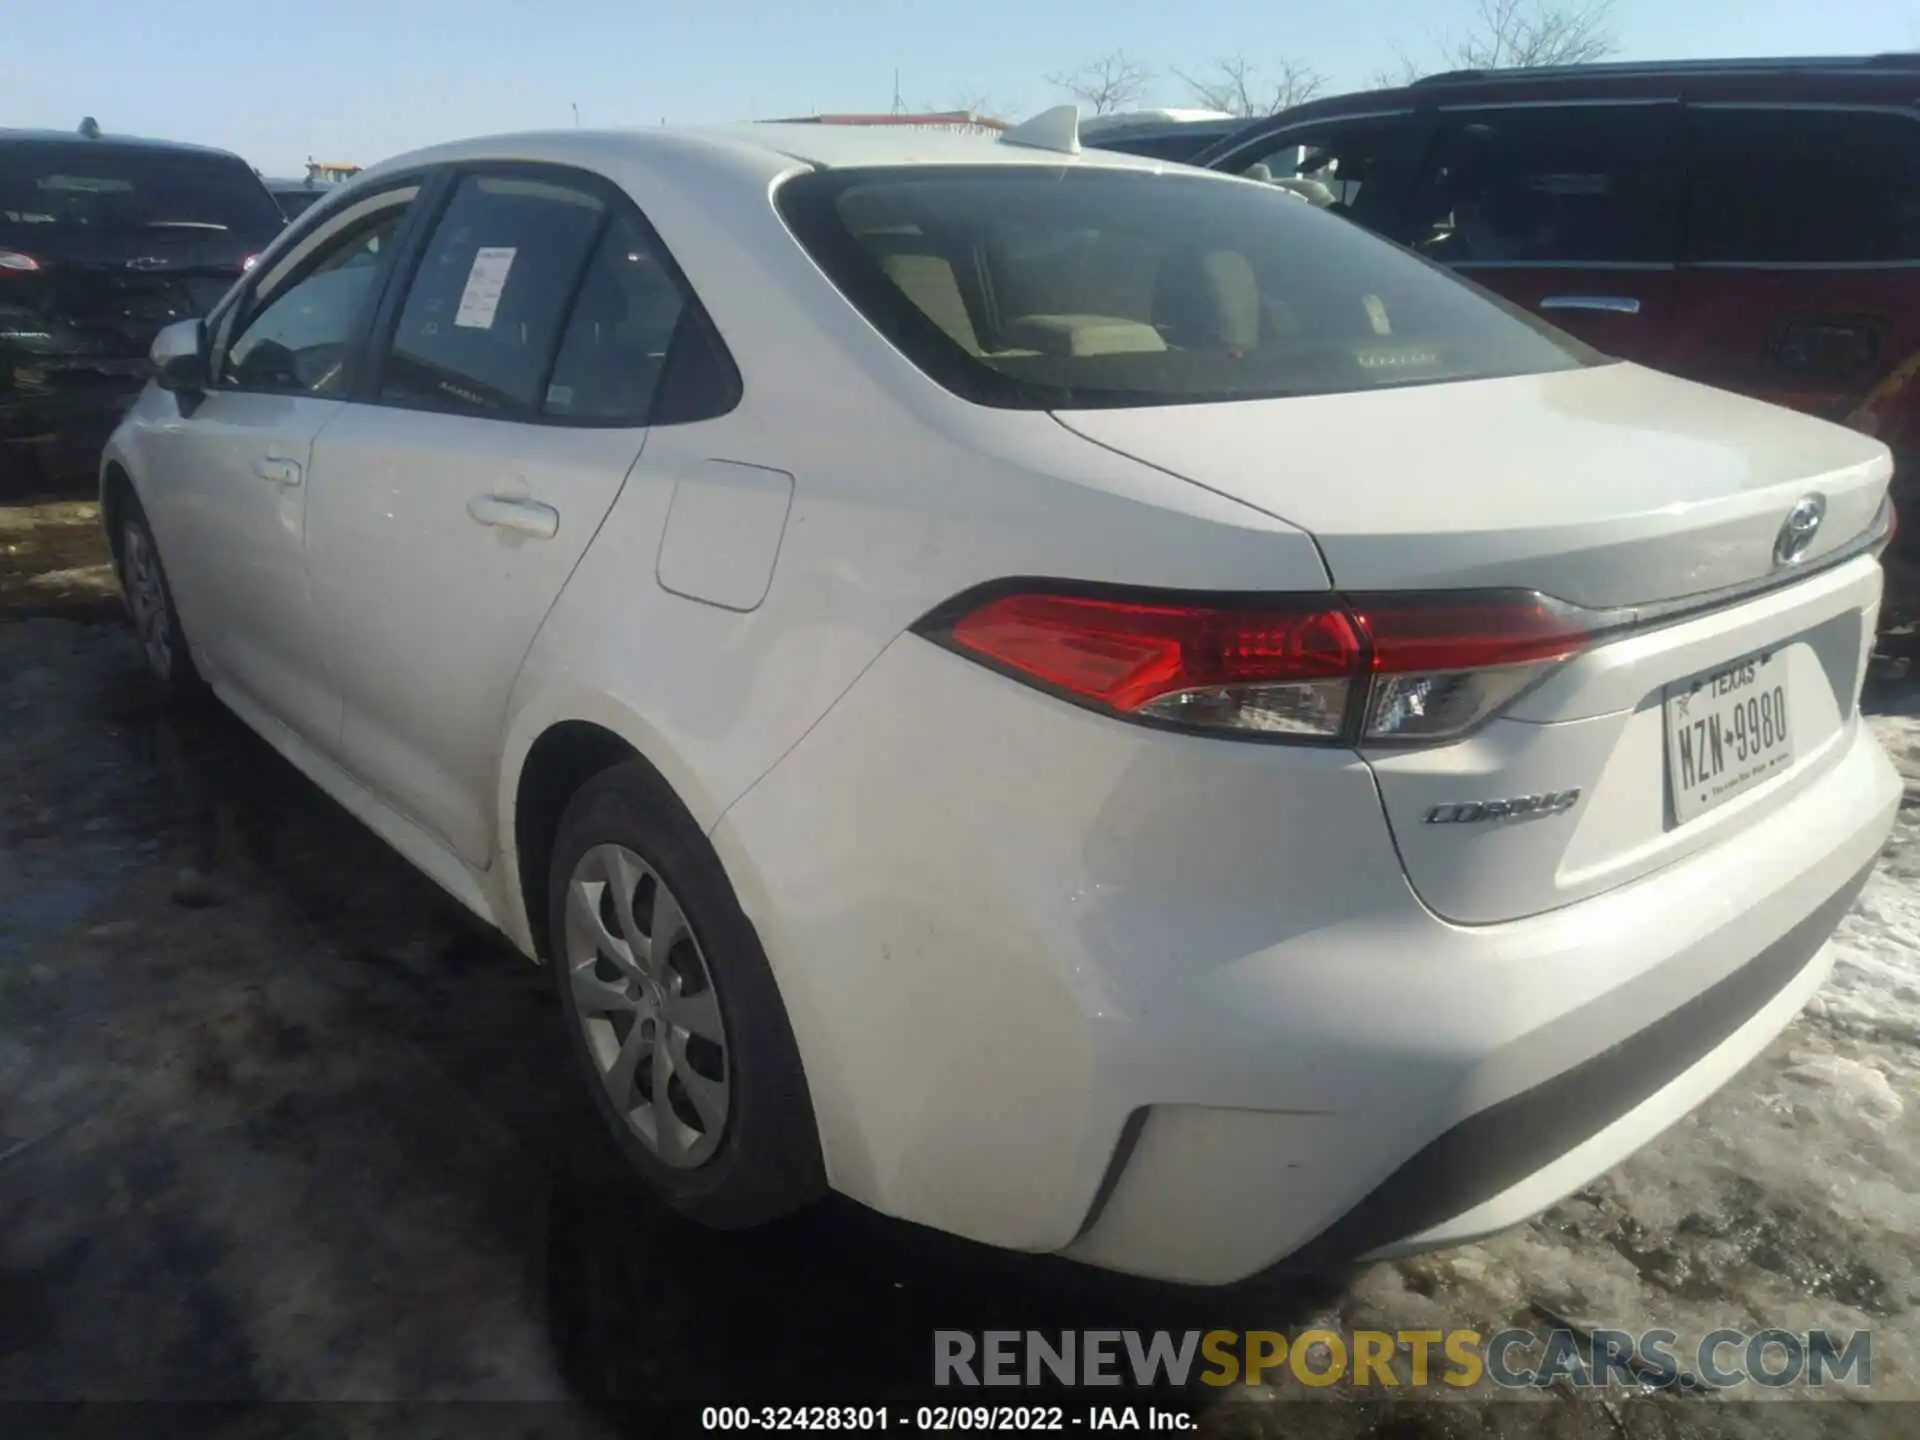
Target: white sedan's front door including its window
(231,516)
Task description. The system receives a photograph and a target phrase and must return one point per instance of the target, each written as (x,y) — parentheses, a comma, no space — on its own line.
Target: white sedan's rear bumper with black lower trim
(1170,1007)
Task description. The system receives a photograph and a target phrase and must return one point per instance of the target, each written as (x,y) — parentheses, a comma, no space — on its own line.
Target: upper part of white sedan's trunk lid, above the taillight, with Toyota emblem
(1602,487)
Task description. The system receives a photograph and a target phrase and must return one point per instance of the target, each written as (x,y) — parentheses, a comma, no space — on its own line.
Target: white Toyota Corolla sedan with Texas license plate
(1076,702)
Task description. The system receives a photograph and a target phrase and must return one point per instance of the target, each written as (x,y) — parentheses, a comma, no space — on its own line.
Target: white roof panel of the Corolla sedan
(769,147)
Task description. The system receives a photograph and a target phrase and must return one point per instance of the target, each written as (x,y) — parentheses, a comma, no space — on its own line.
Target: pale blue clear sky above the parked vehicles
(364,80)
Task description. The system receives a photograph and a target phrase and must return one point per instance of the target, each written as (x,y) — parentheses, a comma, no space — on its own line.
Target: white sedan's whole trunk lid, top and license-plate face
(1616,491)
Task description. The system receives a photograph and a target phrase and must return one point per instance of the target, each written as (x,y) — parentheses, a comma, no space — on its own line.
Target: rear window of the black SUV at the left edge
(85,187)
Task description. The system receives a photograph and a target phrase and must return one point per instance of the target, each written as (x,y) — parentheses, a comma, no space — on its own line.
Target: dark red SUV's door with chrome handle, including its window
(1570,210)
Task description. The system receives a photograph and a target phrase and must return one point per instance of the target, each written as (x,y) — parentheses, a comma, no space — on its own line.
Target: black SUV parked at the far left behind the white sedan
(103,243)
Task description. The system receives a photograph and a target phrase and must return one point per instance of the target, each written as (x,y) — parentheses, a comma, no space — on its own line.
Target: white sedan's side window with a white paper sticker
(487,306)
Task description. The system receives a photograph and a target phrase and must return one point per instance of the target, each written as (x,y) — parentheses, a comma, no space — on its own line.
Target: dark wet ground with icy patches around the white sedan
(279,1124)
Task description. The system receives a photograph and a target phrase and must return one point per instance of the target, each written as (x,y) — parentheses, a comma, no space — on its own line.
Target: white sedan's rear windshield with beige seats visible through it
(1065,289)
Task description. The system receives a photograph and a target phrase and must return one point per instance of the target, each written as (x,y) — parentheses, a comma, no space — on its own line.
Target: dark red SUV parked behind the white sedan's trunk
(1750,224)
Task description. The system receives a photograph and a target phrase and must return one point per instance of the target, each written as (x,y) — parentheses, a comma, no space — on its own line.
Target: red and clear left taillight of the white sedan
(1318,669)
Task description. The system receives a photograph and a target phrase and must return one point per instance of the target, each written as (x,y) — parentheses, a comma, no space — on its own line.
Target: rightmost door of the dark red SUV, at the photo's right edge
(1802,277)
